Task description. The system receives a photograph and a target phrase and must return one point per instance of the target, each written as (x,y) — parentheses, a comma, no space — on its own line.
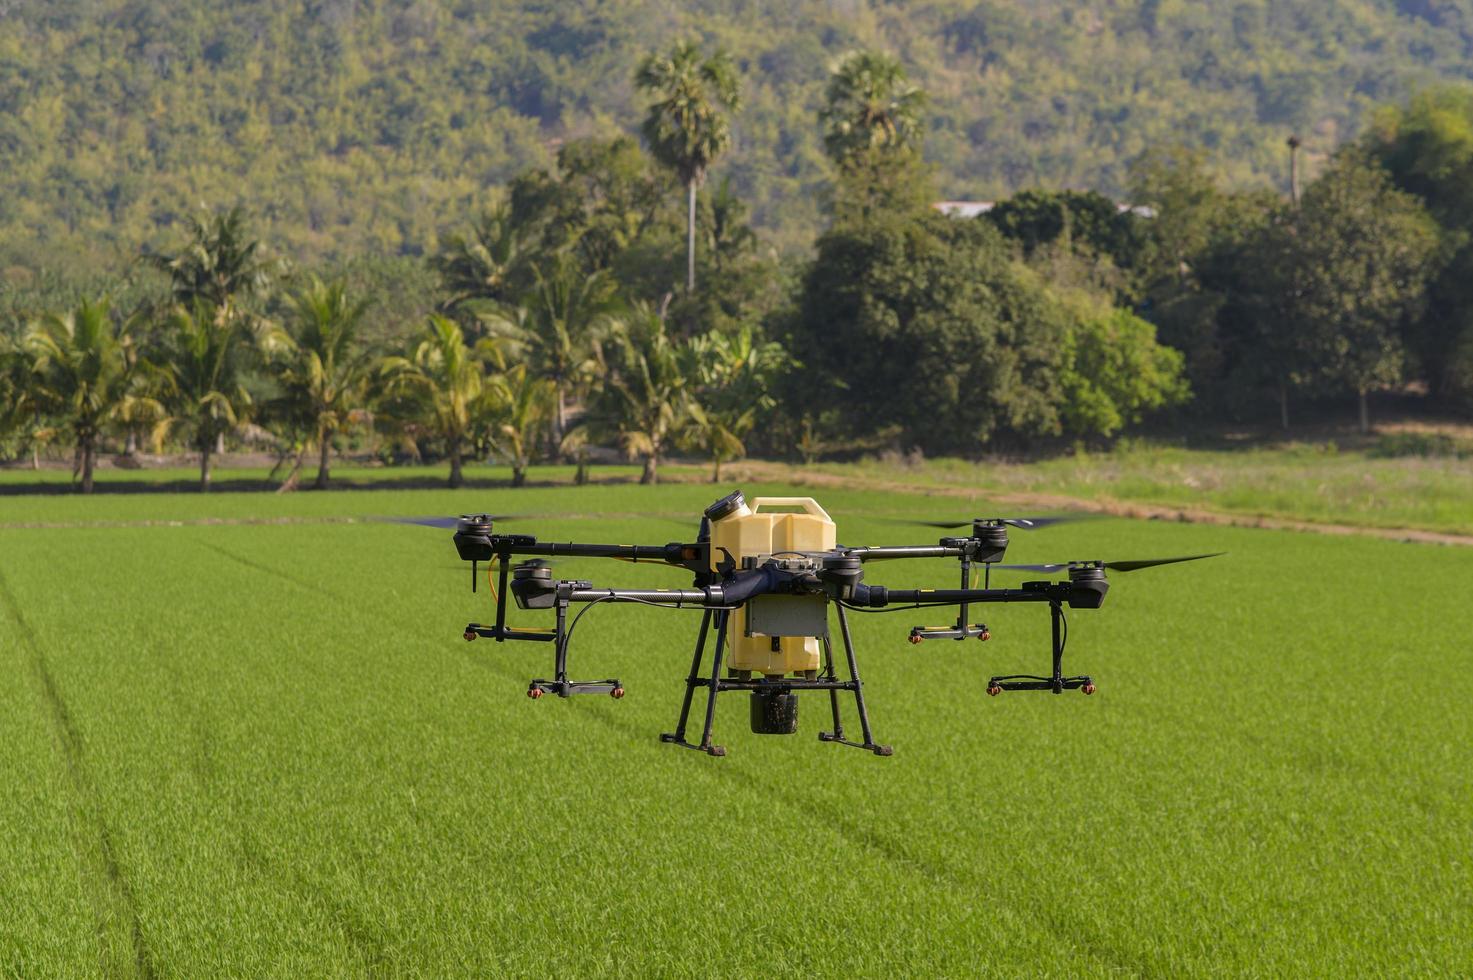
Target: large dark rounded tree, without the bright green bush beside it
(929,325)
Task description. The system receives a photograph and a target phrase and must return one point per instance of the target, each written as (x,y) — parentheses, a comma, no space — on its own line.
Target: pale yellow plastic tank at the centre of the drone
(764,531)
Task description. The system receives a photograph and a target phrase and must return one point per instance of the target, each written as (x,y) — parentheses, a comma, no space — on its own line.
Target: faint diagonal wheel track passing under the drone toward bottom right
(846,827)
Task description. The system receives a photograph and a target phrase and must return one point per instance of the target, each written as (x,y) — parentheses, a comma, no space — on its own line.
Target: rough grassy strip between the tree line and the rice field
(1294,483)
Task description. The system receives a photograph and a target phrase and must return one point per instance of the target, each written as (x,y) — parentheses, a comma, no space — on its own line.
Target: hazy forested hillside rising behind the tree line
(370,126)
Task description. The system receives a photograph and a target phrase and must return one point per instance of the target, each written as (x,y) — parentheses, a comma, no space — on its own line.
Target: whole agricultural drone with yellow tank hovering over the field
(767,578)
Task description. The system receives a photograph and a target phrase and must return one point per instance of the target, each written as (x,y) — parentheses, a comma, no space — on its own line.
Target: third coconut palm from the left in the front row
(323,368)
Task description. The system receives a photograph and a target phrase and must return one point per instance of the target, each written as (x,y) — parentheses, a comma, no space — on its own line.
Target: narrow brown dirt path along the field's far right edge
(781,474)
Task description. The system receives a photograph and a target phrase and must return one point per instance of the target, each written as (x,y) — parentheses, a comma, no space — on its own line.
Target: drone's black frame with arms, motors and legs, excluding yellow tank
(836,575)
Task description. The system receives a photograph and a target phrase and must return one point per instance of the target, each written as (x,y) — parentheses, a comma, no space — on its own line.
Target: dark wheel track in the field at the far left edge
(117,904)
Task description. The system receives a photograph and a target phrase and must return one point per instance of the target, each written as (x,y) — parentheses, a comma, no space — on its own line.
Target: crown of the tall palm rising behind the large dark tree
(871,105)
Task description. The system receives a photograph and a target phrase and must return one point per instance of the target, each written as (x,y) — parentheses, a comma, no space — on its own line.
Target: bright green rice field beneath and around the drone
(266,751)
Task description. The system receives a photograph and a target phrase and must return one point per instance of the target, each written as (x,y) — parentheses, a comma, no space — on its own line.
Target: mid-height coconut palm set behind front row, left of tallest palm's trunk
(559,328)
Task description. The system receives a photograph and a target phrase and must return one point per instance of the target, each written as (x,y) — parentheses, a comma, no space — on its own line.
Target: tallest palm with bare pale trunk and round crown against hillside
(686,127)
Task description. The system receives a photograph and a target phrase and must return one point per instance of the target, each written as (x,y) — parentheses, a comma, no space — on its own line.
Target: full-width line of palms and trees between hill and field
(622,298)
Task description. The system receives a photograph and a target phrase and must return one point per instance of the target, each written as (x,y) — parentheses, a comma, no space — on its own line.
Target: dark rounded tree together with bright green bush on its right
(935,331)
